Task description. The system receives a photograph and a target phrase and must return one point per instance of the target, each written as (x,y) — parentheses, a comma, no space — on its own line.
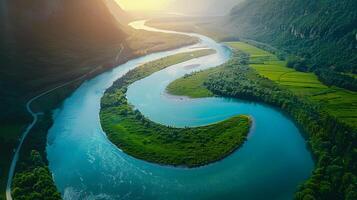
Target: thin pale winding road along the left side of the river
(34,121)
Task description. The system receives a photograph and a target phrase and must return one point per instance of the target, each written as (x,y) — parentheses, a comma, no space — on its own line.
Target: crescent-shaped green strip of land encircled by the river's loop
(190,147)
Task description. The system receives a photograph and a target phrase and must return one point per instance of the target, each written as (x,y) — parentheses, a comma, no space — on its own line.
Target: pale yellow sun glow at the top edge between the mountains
(143,4)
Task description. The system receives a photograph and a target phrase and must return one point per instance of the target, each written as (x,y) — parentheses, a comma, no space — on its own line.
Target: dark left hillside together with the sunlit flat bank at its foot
(44,44)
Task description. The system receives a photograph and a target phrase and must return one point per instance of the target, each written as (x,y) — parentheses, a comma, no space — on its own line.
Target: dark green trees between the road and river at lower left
(33,179)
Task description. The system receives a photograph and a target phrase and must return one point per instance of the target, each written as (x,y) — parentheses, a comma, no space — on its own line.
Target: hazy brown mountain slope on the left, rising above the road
(46,42)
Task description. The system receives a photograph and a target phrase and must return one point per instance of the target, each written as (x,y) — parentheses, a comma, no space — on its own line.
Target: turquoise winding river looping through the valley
(86,165)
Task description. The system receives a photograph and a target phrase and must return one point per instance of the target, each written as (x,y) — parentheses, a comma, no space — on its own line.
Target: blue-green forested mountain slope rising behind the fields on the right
(322,33)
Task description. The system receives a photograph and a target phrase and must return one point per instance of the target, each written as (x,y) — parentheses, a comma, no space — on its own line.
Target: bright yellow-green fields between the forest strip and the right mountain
(338,102)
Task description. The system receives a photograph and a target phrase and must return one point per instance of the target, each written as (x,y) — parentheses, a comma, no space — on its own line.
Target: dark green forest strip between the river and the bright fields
(333,144)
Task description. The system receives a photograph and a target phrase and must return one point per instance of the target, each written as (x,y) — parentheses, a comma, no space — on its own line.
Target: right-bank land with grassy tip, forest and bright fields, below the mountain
(326,114)
